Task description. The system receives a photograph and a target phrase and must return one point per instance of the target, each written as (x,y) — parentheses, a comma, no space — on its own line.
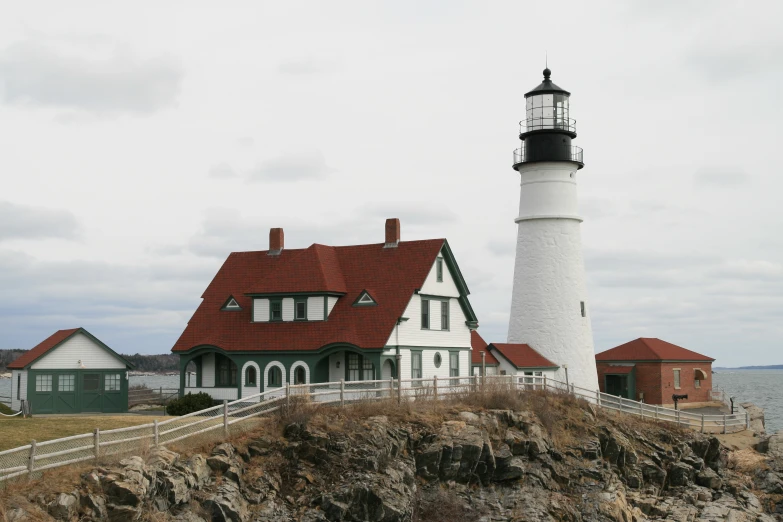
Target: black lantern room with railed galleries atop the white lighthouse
(547,131)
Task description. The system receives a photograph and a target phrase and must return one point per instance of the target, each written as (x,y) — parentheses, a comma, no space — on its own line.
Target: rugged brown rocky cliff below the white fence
(546,458)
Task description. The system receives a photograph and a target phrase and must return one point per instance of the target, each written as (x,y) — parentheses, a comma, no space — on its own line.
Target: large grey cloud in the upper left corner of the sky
(98,78)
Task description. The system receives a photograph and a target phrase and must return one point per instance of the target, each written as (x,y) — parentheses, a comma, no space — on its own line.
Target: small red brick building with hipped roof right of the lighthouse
(653,370)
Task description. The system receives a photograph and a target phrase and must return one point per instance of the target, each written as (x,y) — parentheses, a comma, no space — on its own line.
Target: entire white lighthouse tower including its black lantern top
(549,307)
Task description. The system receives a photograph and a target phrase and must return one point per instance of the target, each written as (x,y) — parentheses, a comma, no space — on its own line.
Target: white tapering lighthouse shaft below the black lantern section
(549,307)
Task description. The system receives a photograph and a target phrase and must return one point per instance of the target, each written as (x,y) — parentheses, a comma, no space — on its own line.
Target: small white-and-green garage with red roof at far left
(70,372)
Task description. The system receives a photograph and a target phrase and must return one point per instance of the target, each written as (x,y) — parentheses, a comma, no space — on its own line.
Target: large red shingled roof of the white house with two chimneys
(394,274)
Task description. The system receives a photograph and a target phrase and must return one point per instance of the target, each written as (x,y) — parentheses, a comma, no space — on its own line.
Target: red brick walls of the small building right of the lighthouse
(656,381)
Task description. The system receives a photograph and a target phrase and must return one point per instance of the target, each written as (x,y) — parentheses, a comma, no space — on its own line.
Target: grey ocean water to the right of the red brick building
(763,388)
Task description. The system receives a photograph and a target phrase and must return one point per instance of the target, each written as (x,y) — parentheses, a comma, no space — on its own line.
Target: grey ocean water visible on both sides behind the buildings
(761,387)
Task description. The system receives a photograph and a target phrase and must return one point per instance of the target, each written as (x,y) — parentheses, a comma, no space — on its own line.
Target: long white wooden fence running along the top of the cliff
(40,456)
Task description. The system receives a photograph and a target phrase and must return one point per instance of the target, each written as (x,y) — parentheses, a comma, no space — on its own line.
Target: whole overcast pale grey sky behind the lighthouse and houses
(141,143)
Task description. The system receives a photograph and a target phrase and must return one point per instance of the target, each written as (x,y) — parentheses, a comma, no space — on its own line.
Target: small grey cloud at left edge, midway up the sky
(25,222)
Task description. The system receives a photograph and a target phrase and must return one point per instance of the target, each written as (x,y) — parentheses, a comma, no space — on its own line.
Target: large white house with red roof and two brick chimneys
(322,314)
